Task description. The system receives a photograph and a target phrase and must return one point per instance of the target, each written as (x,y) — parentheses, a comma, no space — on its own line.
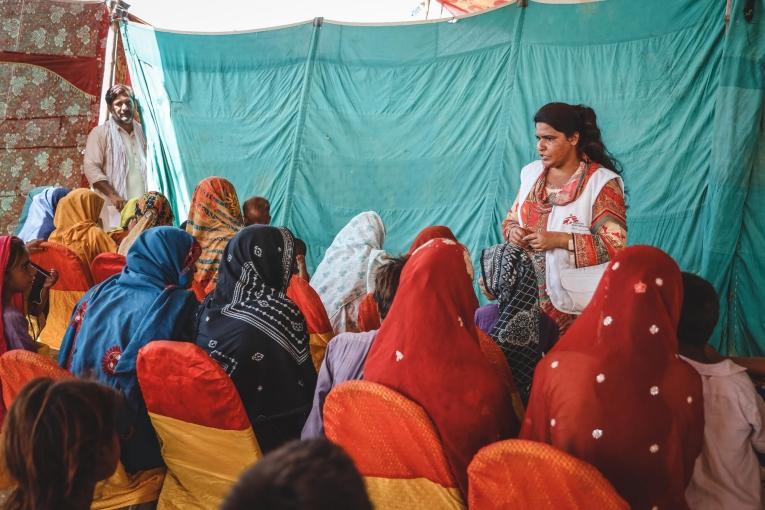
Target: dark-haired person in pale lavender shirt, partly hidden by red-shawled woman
(347,352)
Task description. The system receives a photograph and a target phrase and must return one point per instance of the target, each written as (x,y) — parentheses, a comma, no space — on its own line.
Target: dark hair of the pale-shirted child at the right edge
(700,311)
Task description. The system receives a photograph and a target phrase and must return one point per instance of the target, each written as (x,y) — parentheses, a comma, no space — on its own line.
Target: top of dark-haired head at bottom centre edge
(301,475)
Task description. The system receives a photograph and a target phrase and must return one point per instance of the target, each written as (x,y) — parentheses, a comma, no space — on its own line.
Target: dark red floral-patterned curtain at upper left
(51,68)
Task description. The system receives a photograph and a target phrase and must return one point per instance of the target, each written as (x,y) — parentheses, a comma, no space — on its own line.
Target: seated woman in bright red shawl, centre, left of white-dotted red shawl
(428,350)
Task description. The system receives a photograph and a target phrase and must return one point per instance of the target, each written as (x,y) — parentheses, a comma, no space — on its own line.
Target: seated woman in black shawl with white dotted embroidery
(259,337)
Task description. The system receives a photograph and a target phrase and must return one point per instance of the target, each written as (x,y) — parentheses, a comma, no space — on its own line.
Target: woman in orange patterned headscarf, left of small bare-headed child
(214,218)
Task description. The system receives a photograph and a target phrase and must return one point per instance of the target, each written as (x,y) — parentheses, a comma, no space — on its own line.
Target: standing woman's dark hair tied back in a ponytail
(570,119)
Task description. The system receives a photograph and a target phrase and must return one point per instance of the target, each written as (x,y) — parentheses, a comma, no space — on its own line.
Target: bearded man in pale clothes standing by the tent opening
(115,156)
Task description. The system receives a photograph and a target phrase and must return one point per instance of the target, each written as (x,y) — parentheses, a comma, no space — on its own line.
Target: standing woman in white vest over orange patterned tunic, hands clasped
(569,213)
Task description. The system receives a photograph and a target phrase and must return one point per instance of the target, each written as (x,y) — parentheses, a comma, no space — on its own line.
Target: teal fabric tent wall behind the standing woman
(431,123)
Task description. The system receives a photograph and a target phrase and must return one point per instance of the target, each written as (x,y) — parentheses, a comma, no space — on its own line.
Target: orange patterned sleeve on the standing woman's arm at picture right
(608,228)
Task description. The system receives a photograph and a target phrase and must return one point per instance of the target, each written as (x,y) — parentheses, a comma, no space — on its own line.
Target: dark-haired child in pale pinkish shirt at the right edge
(727,473)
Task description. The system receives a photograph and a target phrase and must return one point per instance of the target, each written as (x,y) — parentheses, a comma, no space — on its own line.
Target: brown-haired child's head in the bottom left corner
(59,440)
